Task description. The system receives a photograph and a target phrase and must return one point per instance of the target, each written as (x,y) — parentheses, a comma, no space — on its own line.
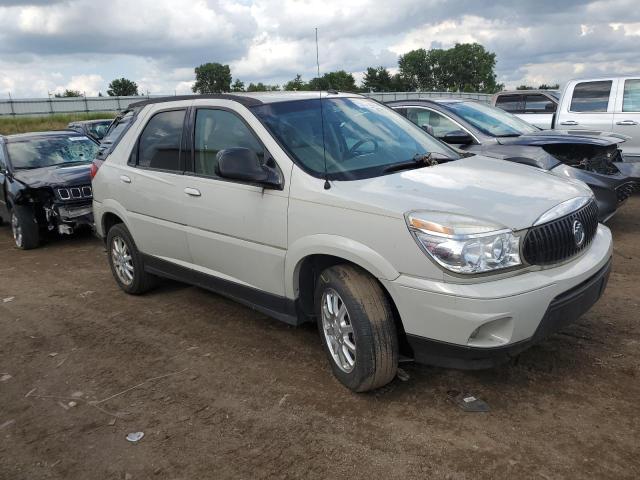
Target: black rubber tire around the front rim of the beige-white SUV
(371,317)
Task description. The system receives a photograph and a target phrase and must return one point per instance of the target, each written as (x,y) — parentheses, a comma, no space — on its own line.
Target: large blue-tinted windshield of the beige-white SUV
(361,137)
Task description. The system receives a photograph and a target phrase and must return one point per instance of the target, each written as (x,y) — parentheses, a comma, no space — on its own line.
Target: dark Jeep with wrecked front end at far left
(45,184)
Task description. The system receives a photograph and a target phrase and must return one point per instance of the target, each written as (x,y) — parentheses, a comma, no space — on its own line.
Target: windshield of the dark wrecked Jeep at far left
(47,152)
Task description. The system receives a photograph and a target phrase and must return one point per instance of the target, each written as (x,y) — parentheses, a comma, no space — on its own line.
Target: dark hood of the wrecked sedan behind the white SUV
(549,137)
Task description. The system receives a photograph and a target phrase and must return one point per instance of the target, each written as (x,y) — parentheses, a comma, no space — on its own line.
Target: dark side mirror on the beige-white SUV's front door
(243,164)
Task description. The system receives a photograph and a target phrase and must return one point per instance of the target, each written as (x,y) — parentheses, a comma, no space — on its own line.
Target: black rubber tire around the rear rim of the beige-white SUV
(140,281)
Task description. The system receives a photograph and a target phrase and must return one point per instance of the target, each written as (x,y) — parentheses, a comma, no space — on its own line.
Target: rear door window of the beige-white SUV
(160,141)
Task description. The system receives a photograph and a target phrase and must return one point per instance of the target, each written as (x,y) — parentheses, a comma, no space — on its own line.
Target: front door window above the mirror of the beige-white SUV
(218,130)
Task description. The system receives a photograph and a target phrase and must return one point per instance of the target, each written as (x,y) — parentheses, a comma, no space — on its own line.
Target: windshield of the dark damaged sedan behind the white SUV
(490,120)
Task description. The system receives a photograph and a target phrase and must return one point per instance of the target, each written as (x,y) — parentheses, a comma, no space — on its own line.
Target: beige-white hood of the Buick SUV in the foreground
(504,193)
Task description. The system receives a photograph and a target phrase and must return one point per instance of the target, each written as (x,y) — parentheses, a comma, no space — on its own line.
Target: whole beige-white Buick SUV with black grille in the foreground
(334,208)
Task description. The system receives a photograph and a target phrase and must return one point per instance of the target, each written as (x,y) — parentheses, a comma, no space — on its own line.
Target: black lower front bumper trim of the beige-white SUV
(564,309)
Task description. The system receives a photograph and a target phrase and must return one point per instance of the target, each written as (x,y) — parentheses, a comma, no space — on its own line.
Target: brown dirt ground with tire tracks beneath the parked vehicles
(243,396)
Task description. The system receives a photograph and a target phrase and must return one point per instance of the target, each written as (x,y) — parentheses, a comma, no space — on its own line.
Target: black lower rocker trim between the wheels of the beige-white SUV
(275,306)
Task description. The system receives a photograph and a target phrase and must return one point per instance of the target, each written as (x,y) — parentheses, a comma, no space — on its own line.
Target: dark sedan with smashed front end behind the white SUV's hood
(592,157)
